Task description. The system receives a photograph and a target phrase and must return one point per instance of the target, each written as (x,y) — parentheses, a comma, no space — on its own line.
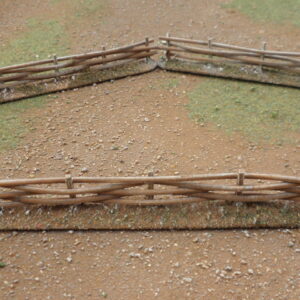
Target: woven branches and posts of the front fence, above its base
(149,190)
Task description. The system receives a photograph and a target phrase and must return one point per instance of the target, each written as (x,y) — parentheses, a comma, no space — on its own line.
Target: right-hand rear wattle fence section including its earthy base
(229,61)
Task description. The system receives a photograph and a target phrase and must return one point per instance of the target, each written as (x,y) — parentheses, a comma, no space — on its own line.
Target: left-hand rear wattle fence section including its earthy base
(60,73)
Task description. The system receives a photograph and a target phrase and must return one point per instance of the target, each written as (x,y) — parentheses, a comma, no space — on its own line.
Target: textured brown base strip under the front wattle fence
(204,215)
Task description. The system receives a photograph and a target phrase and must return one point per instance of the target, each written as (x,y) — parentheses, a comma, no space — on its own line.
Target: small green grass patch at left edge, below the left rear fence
(12,125)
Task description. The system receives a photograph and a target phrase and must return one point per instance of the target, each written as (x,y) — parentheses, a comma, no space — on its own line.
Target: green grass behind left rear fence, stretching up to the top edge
(43,38)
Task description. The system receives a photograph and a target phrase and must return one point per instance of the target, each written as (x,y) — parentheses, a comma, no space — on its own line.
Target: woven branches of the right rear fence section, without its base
(212,52)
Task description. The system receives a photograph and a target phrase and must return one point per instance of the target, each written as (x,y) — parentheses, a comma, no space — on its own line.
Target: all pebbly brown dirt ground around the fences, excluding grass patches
(133,126)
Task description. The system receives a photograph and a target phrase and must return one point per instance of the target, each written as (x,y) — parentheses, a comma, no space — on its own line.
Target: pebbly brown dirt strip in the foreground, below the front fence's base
(151,265)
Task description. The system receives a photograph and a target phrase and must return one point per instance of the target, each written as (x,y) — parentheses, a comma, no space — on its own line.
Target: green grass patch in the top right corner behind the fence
(277,11)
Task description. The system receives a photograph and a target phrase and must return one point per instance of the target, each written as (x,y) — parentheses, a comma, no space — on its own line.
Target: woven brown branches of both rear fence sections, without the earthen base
(185,49)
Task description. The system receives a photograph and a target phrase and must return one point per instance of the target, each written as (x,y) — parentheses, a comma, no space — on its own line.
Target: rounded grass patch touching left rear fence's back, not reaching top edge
(40,39)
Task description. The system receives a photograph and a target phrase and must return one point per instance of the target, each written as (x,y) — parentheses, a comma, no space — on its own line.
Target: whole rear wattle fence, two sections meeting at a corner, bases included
(62,73)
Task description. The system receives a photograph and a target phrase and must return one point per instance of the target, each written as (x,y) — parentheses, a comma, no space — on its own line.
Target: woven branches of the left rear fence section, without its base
(58,67)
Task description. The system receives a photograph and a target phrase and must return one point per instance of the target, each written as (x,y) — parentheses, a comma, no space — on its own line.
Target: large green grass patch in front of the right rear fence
(259,112)
